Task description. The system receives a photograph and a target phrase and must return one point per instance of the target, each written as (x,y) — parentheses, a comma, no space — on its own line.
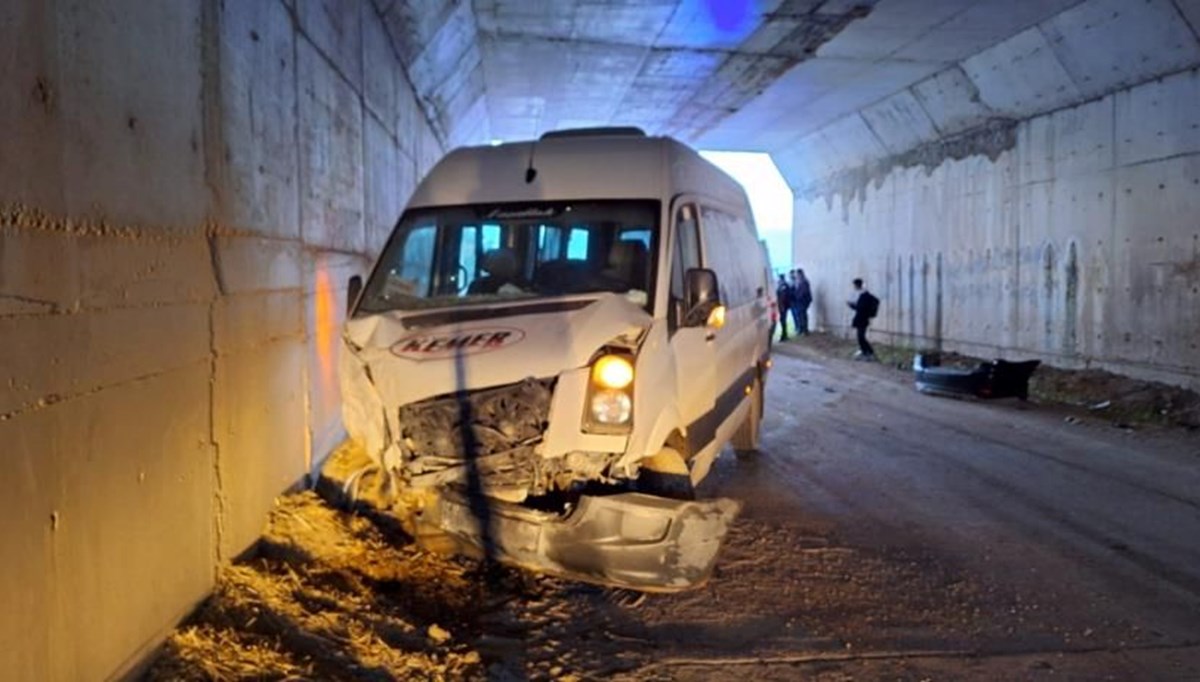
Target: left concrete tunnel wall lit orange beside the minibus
(184,190)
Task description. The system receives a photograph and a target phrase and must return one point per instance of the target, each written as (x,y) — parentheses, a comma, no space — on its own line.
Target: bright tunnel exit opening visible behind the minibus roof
(771,200)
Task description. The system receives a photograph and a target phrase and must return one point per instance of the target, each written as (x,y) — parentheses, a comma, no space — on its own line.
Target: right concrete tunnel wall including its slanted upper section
(1040,200)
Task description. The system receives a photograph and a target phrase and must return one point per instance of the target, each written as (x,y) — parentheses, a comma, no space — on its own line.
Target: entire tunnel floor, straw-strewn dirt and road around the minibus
(885,535)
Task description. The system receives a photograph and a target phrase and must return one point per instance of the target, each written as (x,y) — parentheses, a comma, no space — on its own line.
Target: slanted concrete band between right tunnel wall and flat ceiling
(1087,52)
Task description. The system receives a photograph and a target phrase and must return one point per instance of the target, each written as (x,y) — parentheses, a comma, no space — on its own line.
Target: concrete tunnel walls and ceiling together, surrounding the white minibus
(187,188)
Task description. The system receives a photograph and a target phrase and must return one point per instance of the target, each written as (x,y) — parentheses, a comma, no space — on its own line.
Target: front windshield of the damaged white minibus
(453,256)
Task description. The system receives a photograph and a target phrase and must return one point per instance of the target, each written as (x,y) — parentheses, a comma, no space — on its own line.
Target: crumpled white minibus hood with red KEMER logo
(413,356)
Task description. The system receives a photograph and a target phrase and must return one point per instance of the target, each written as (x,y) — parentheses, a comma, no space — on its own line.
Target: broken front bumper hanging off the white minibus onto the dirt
(633,541)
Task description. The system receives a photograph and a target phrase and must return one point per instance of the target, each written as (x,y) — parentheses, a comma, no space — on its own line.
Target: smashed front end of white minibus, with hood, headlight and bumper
(499,428)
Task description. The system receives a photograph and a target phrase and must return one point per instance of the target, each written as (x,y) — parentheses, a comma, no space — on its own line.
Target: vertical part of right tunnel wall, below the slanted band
(1075,237)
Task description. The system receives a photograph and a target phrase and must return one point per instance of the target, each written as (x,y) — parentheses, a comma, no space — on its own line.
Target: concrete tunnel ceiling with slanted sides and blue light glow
(835,82)
